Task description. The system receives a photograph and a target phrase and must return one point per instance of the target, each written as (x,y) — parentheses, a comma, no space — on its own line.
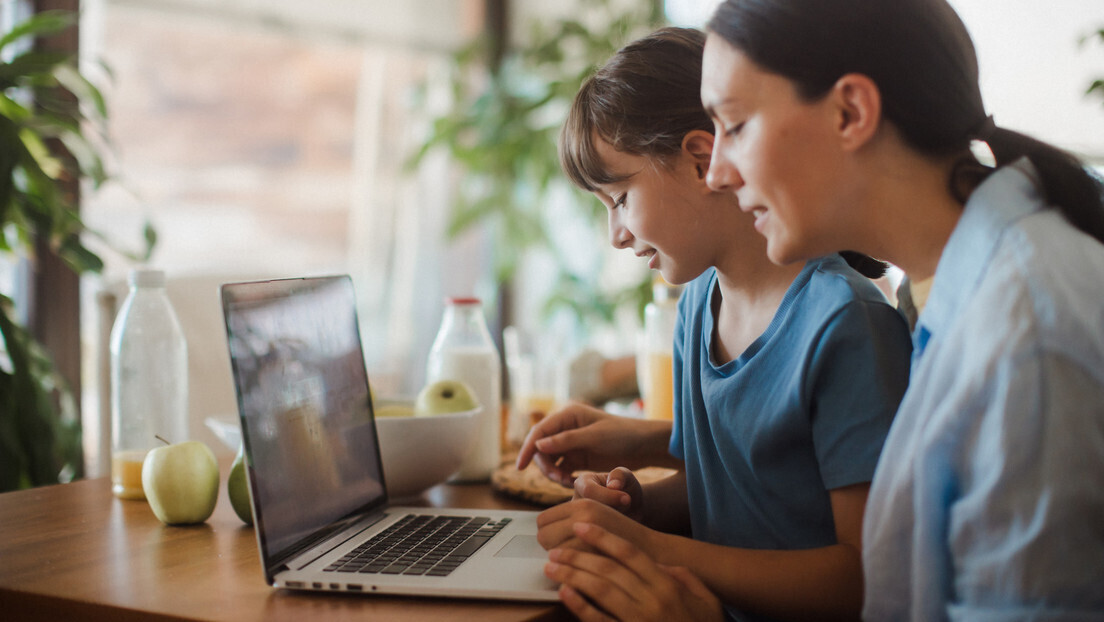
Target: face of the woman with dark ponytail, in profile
(774,152)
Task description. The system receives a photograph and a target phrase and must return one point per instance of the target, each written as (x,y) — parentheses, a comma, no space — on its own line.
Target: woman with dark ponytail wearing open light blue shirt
(848,125)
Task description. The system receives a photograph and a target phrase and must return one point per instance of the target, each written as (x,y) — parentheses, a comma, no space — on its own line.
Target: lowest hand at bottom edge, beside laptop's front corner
(621,583)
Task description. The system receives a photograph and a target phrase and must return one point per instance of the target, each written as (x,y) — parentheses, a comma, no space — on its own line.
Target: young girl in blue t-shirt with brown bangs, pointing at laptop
(787,377)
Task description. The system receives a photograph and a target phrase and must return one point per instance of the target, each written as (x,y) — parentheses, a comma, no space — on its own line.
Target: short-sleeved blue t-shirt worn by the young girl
(803,412)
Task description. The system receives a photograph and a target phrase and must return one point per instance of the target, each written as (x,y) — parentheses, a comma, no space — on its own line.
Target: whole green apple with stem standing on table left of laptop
(182,482)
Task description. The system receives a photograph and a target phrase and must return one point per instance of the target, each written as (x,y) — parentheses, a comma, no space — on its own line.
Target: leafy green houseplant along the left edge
(50,118)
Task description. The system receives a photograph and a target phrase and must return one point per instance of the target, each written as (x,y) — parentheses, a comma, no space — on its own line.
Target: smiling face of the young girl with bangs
(657,212)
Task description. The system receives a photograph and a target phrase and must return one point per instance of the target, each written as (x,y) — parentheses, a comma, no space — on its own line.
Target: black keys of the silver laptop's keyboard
(429,545)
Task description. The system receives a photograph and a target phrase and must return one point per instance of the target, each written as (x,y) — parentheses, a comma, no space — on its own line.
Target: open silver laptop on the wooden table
(320,492)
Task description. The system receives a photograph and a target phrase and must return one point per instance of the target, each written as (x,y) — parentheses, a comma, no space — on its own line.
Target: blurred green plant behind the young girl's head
(502,130)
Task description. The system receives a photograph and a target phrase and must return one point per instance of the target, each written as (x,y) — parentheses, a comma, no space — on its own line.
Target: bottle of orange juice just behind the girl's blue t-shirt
(656,356)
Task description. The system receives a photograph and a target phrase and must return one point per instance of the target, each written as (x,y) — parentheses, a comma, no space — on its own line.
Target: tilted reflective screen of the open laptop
(305,407)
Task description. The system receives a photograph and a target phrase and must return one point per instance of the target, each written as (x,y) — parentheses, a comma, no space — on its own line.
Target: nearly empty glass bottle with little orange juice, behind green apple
(150,379)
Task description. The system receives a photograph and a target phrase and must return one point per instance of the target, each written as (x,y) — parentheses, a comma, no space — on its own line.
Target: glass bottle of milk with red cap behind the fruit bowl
(464,351)
